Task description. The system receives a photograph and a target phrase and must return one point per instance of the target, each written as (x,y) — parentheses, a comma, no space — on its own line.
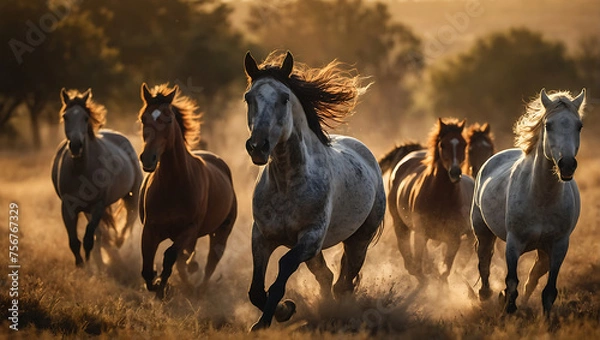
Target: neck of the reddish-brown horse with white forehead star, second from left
(176,160)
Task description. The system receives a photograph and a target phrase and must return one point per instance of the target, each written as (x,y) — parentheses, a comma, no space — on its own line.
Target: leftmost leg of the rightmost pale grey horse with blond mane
(485,251)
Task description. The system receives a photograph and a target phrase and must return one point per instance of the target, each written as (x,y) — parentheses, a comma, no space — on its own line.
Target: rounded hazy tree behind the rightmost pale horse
(492,80)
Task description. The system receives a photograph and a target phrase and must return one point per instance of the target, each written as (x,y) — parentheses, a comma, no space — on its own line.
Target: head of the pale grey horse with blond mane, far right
(562,128)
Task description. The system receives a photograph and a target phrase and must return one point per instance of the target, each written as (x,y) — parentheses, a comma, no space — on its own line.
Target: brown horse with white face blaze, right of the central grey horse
(430,198)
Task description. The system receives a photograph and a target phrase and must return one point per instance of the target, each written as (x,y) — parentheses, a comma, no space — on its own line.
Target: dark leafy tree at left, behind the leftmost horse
(49,48)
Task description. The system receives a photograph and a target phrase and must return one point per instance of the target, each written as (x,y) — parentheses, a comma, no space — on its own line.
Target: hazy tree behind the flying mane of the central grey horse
(361,34)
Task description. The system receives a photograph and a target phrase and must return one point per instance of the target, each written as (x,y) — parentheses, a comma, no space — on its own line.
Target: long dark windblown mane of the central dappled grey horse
(328,95)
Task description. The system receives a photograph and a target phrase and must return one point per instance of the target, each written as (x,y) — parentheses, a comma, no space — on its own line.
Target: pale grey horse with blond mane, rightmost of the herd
(527,197)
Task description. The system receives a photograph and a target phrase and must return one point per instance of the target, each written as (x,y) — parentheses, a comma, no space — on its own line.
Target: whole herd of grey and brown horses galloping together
(317,190)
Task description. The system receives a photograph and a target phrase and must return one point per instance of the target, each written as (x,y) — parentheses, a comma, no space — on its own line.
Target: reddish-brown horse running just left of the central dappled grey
(186,195)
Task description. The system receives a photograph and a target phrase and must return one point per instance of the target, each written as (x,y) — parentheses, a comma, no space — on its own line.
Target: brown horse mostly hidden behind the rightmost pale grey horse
(480,147)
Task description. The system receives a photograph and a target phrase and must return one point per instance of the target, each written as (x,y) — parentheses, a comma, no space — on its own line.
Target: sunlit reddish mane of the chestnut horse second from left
(184,108)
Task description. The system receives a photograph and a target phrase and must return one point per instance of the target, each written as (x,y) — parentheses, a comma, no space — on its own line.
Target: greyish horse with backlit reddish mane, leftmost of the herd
(93,169)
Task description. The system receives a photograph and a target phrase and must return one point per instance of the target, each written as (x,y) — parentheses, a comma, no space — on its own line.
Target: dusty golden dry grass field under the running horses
(56,299)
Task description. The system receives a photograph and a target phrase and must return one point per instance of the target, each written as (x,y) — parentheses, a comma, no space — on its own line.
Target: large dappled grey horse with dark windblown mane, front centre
(315,190)
